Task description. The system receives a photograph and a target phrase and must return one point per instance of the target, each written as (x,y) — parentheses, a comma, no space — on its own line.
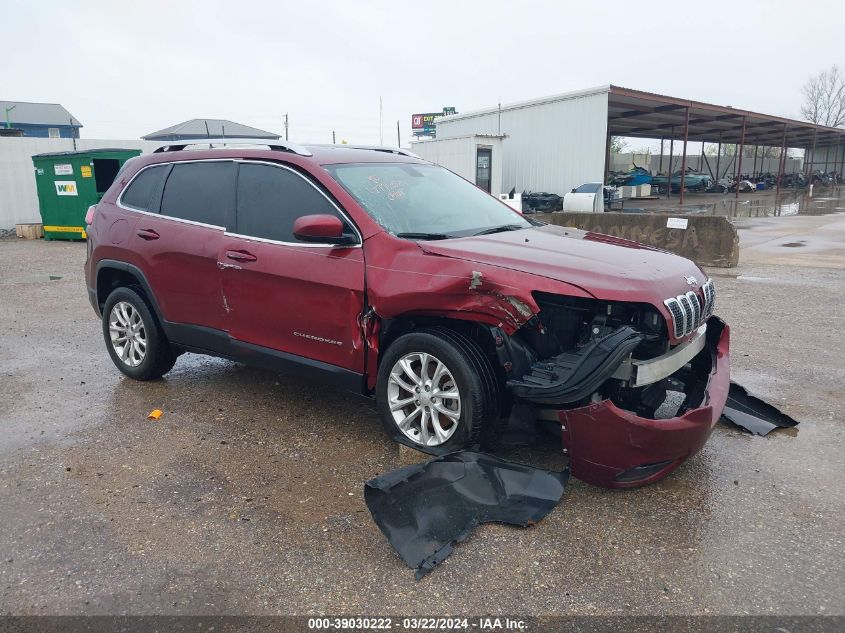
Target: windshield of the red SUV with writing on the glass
(423,201)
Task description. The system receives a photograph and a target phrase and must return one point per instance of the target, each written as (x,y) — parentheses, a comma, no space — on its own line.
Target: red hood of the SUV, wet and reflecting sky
(607,267)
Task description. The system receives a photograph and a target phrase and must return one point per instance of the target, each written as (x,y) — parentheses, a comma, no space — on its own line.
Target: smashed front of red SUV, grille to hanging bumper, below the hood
(632,407)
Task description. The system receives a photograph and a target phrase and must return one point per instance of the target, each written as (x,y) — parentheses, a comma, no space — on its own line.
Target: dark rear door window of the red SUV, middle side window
(201,192)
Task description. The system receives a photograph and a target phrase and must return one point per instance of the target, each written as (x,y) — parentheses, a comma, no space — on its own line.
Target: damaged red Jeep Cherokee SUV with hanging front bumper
(397,279)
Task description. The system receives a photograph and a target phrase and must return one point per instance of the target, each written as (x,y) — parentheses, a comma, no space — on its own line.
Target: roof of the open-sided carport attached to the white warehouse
(648,115)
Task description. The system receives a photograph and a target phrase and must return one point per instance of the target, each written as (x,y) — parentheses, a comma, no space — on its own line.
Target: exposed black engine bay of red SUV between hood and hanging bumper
(577,351)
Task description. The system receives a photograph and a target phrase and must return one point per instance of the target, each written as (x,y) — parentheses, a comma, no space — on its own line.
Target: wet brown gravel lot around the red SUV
(246,496)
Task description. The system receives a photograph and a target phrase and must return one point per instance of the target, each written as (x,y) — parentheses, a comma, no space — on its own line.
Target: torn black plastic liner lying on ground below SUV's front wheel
(425,509)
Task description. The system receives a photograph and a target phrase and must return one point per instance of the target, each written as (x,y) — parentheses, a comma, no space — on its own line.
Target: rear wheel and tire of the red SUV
(146,361)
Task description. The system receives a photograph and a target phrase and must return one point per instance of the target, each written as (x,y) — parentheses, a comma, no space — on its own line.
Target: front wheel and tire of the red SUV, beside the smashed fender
(450,423)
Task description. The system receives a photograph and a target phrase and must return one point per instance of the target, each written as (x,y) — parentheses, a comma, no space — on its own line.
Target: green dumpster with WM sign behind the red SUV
(69,182)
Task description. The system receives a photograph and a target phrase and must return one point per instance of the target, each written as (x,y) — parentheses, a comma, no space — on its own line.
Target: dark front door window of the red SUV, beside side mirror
(270,199)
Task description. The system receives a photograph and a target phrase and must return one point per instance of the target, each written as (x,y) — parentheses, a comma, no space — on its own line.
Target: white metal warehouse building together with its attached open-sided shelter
(559,142)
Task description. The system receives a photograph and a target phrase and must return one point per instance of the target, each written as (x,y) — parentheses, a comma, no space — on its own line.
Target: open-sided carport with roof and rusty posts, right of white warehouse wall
(634,113)
